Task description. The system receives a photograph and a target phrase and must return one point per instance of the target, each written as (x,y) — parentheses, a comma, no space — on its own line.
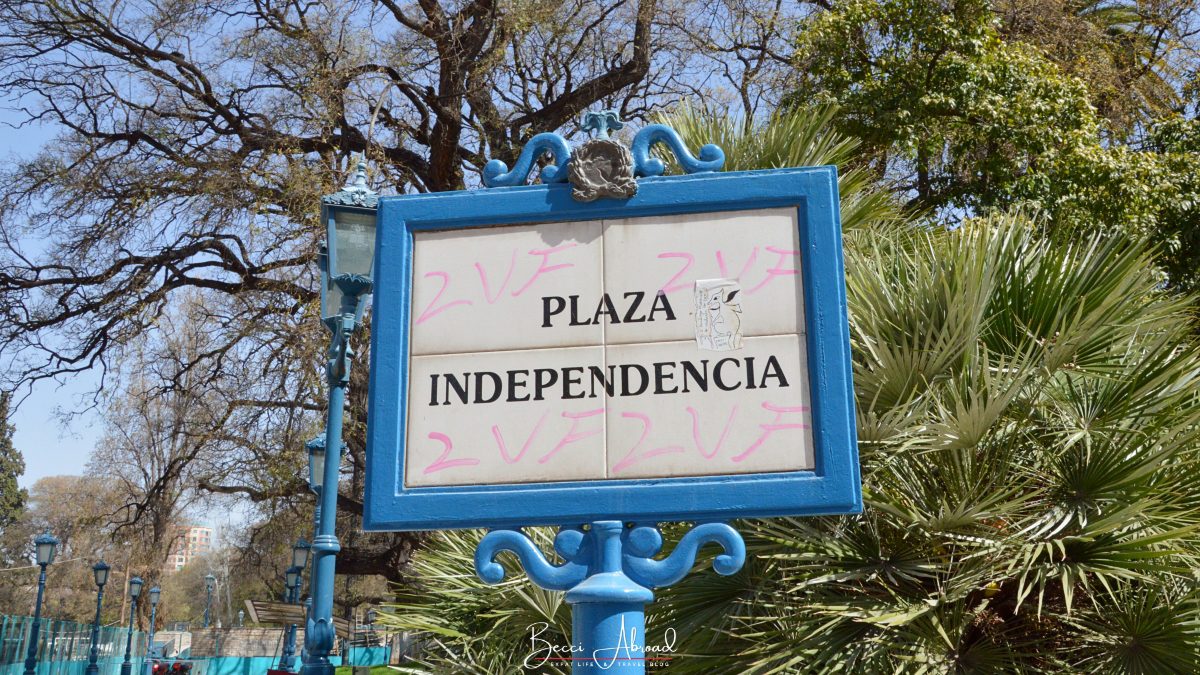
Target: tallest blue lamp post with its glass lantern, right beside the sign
(350,217)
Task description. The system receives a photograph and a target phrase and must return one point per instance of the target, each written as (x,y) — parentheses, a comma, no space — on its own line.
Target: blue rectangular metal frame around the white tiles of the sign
(833,487)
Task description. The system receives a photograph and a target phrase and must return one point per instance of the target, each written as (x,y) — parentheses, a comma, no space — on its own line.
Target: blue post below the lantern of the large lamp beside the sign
(320,632)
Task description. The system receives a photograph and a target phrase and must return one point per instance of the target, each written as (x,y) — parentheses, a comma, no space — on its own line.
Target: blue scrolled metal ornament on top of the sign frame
(497,174)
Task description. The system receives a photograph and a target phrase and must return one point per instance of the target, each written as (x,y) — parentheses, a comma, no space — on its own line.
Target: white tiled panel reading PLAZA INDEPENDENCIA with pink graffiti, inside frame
(645,348)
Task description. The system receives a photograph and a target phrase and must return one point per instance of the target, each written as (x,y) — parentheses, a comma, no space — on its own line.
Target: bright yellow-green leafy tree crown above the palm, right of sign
(941,103)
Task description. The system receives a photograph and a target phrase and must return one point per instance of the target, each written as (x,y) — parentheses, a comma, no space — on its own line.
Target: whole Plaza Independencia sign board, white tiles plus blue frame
(682,355)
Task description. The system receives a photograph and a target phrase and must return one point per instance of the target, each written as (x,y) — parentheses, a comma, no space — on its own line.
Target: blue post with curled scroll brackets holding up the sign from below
(608,577)
